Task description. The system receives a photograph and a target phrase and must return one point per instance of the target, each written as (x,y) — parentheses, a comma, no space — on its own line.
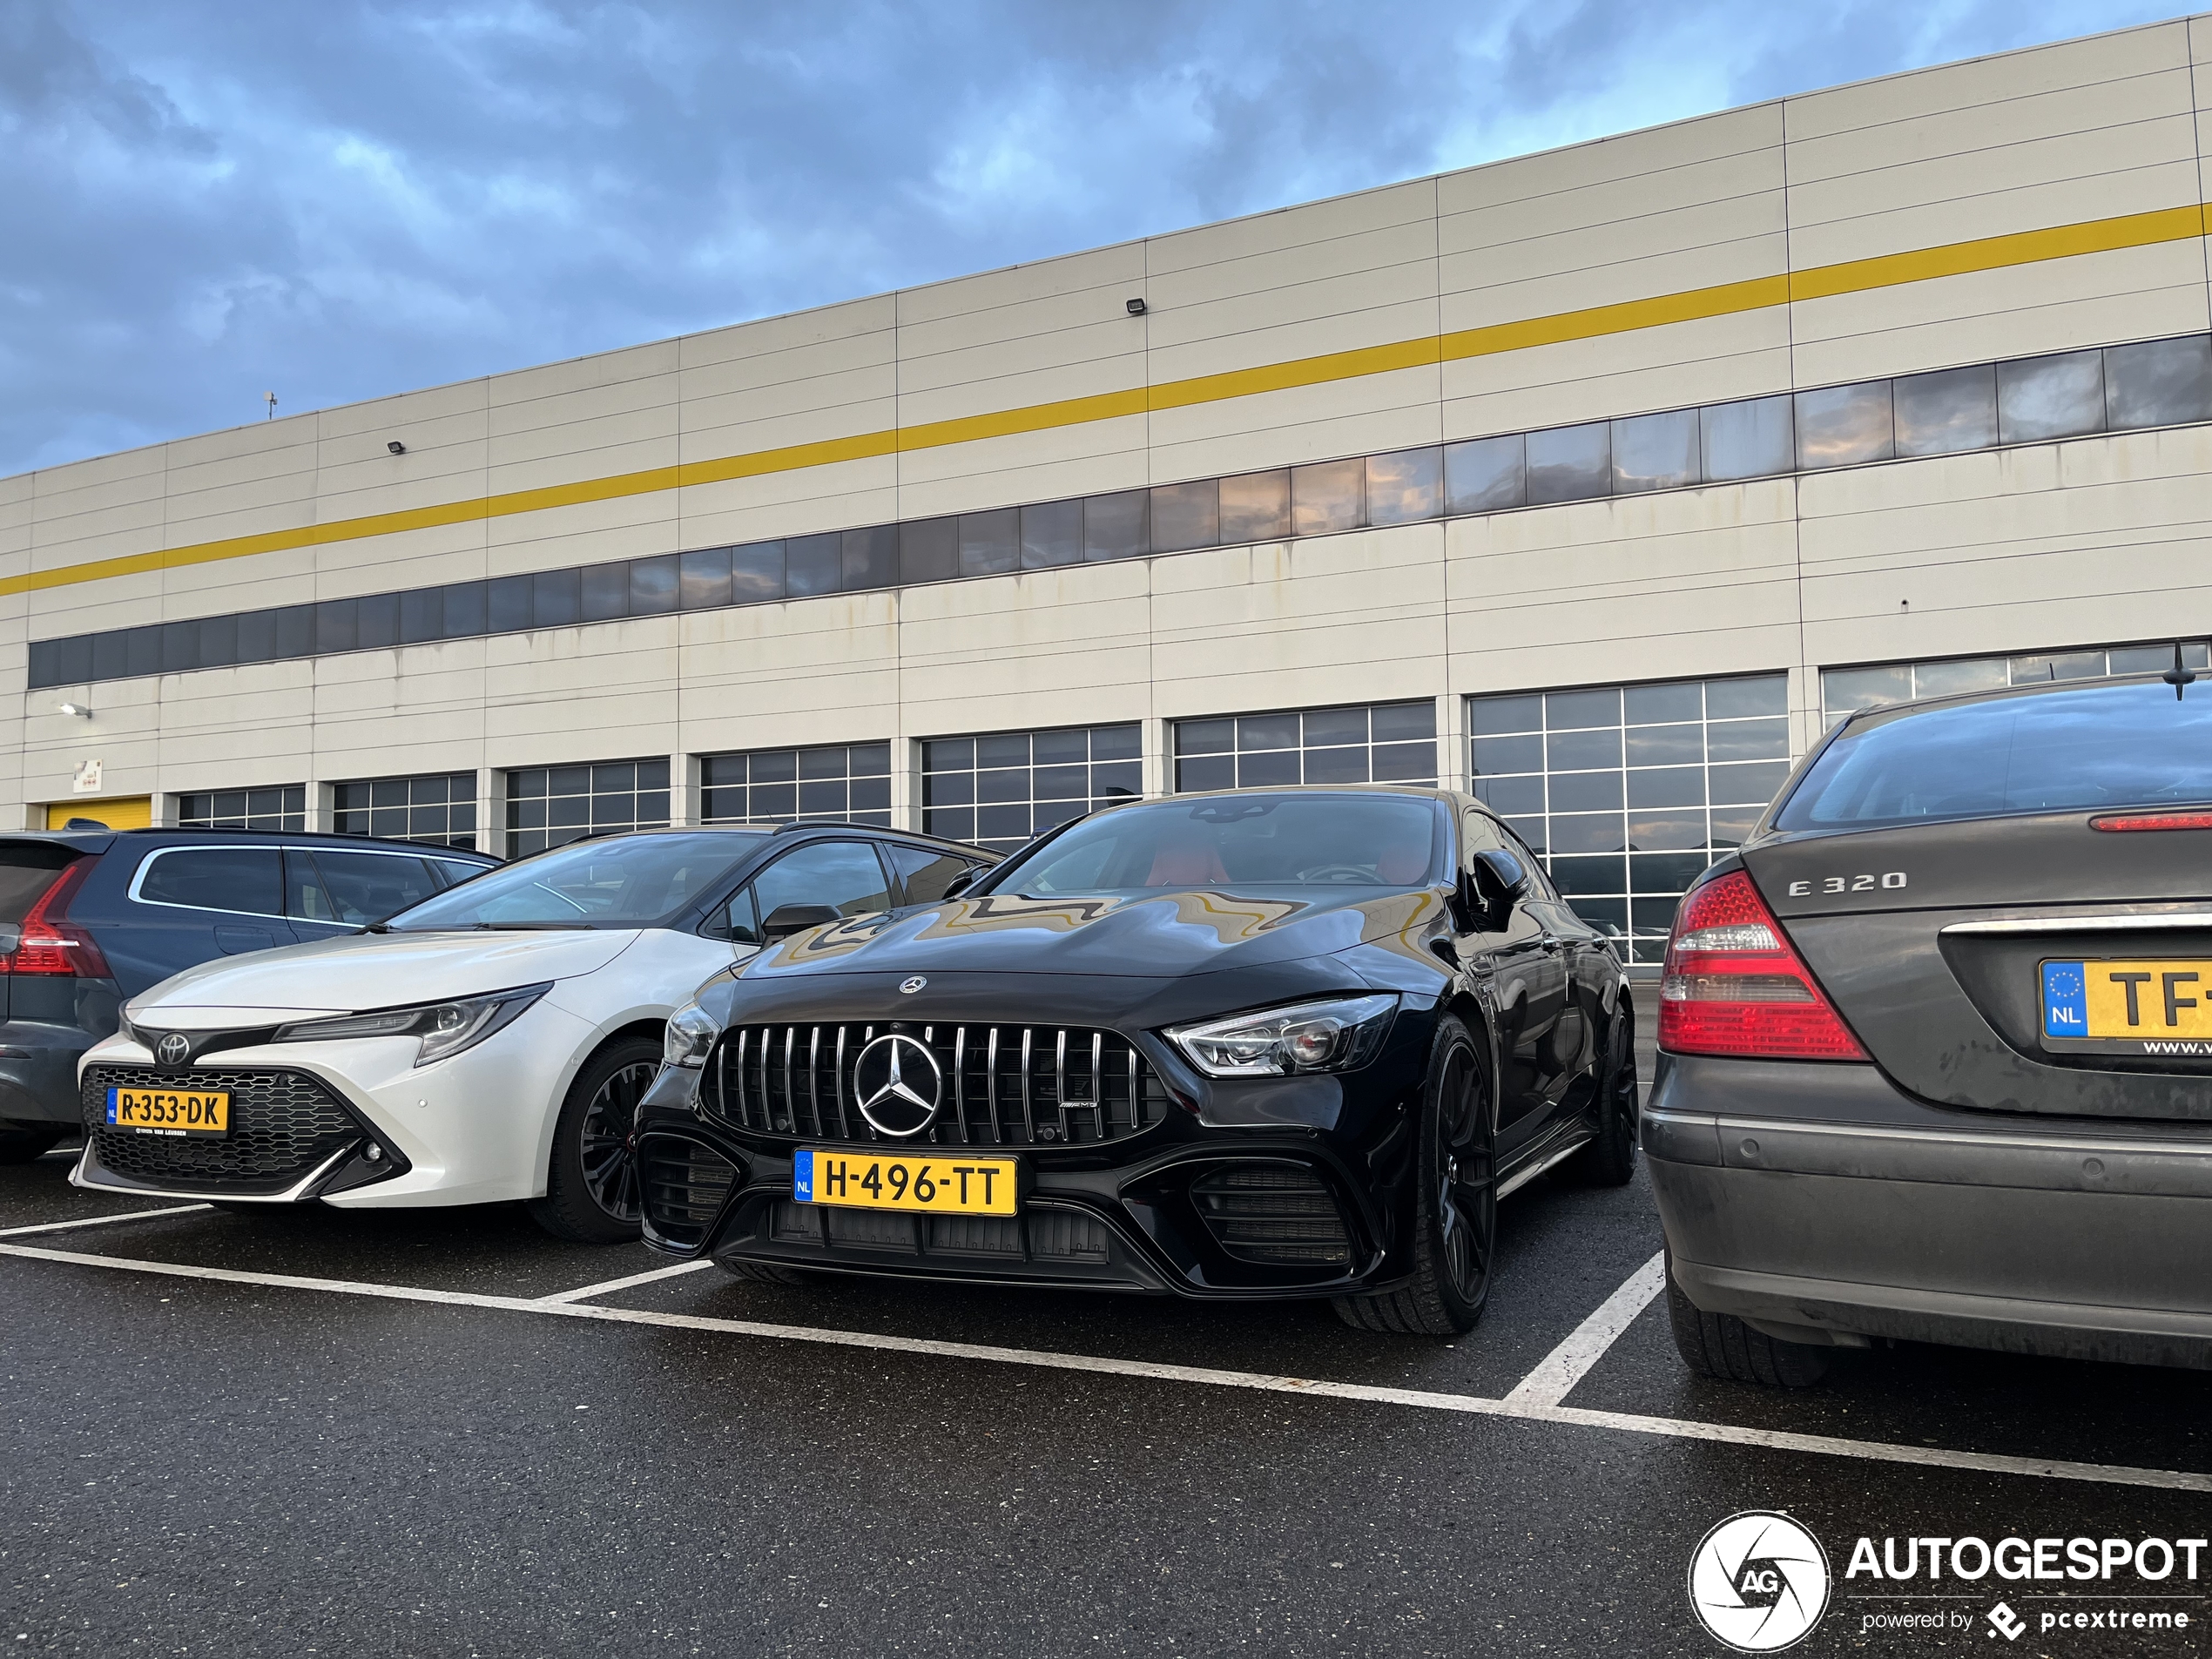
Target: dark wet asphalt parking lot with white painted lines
(448,1434)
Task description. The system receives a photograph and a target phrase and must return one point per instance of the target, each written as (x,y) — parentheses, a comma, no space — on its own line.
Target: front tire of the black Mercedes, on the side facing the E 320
(1454,1202)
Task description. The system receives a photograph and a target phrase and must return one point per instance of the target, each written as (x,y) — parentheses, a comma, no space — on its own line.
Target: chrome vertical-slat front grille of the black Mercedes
(994,1085)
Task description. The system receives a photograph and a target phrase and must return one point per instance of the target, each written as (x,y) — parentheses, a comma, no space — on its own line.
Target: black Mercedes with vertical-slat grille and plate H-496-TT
(1242,1045)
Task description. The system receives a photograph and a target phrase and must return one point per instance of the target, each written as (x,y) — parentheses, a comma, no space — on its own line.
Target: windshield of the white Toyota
(623,881)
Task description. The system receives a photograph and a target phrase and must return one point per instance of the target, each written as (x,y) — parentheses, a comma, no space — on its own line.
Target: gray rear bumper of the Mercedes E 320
(1817,1200)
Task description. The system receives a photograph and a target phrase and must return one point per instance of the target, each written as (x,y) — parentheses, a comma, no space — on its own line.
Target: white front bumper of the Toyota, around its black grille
(472,1129)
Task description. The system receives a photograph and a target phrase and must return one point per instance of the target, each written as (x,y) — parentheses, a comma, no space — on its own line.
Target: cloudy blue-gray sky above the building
(207,200)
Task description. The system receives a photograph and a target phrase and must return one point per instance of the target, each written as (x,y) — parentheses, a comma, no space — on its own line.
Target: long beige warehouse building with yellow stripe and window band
(1596,479)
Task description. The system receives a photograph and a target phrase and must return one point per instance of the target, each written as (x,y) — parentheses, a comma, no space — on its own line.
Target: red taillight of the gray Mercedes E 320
(1735,988)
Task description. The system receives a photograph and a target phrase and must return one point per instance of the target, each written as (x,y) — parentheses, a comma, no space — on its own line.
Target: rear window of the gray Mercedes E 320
(2100,747)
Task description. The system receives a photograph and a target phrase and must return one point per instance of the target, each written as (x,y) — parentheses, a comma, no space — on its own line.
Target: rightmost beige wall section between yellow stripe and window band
(2056,306)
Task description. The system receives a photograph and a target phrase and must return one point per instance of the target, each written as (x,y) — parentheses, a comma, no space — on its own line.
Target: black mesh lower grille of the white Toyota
(284,1125)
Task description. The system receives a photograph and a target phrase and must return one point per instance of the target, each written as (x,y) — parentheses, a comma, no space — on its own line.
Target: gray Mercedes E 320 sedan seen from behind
(1937,1045)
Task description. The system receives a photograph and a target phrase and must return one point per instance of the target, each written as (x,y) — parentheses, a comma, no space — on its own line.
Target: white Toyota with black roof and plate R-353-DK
(481,1047)
